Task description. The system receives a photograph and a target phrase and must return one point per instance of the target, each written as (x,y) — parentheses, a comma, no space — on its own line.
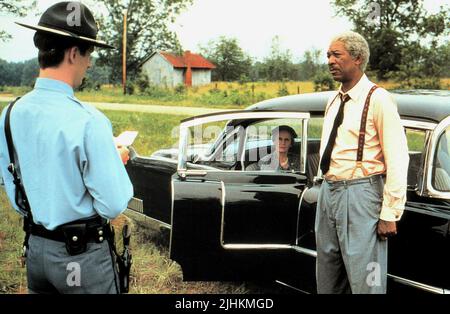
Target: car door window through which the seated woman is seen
(273,145)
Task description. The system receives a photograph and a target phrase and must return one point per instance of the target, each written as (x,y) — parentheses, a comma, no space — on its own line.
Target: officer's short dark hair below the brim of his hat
(52,48)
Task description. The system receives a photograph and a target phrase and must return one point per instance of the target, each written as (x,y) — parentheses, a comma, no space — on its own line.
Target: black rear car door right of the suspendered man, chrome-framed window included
(418,255)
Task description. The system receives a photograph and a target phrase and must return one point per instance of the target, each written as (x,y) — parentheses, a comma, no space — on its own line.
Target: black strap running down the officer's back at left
(20,197)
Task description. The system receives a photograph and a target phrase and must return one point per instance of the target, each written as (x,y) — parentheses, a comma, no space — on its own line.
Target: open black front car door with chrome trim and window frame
(229,223)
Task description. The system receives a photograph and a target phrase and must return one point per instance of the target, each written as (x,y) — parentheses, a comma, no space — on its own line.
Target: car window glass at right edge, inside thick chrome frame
(441,164)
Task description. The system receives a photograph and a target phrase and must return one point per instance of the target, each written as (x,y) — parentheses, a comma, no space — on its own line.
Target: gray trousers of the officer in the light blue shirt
(50,270)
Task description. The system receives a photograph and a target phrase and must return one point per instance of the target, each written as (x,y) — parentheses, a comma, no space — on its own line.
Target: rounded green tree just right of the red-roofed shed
(231,62)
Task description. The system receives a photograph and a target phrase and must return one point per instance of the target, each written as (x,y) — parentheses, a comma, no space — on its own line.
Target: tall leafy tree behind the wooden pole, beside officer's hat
(147,31)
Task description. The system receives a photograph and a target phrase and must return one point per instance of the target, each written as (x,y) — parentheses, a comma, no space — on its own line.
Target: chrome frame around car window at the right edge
(431,191)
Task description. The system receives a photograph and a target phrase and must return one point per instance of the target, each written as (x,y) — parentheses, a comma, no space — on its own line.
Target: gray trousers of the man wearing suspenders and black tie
(350,256)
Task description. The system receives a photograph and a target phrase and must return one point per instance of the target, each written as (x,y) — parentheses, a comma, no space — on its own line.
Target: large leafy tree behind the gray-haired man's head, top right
(390,26)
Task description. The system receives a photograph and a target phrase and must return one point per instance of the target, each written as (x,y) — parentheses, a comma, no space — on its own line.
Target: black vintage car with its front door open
(229,222)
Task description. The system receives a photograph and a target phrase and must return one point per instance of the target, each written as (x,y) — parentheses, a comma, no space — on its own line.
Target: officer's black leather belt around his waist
(94,229)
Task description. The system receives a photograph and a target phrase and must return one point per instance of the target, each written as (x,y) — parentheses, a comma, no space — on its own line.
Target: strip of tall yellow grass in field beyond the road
(217,94)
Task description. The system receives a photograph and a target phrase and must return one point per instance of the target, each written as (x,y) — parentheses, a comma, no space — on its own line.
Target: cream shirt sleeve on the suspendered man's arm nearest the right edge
(395,151)
